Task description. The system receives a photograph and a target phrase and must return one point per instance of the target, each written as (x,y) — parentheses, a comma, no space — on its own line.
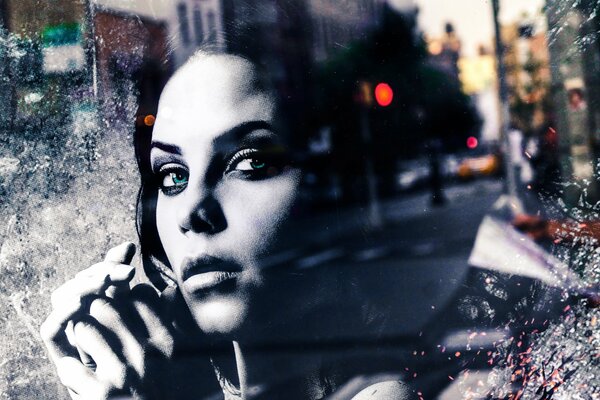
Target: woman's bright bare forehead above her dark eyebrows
(211,95)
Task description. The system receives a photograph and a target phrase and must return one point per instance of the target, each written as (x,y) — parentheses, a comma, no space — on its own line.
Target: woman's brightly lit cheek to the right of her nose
(256,210)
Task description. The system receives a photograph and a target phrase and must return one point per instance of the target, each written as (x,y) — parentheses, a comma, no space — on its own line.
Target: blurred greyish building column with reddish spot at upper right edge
(575,71)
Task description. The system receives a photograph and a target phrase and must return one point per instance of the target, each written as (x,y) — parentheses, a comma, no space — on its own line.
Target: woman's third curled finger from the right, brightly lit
(105,349)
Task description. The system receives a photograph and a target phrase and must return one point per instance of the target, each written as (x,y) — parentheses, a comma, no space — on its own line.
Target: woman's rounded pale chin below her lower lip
(220,315)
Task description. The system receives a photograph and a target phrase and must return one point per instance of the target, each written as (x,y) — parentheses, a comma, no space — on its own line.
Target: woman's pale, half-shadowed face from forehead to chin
(225,183)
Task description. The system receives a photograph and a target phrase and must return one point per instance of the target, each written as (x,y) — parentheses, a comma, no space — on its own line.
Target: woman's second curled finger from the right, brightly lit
(113,320)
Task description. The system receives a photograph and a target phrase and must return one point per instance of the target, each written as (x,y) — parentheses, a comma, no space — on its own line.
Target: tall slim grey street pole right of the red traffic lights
(510,180)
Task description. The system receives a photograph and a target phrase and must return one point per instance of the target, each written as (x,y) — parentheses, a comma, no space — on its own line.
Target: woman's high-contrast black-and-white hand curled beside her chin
(104,339)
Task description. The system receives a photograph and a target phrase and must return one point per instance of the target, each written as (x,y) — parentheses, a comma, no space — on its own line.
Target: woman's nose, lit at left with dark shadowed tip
(201,212)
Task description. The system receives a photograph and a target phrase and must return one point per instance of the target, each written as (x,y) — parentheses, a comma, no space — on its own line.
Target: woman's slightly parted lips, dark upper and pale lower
(206,272)
